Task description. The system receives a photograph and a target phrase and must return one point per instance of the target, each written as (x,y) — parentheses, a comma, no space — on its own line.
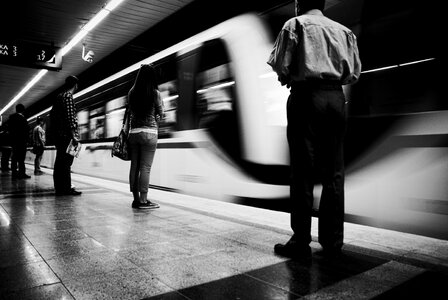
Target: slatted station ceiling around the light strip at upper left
(56,22)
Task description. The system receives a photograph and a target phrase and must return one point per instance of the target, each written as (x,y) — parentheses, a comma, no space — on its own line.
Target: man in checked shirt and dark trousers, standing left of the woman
(64,124)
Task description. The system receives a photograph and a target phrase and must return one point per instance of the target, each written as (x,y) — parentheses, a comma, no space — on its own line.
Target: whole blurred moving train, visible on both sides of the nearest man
(223,136)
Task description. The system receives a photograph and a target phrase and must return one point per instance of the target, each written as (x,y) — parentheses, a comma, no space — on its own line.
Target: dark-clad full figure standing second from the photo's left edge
(19,131)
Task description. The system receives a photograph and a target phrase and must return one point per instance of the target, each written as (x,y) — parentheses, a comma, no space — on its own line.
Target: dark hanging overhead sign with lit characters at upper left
(30,55)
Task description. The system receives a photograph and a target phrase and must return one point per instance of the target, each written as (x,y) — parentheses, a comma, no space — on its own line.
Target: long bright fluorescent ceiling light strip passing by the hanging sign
(79,36)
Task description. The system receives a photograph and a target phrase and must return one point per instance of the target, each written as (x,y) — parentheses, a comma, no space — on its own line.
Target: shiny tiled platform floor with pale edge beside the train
(95,246)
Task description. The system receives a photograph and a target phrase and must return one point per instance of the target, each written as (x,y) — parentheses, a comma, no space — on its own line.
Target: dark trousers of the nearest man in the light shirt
(316,128)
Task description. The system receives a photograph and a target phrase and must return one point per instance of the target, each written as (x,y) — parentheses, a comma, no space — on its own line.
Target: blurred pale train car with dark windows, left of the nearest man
(223,135)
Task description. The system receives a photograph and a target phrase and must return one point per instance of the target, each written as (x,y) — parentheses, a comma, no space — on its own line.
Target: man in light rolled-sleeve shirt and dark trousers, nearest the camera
(314,56)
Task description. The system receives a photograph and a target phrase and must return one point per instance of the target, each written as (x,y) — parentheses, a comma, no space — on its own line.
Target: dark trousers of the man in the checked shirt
(62,167)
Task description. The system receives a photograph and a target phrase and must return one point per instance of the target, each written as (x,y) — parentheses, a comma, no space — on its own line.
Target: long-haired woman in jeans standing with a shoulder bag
(146,109)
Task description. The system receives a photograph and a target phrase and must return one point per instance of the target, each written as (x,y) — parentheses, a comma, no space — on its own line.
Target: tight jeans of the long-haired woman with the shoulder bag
(142,147)
